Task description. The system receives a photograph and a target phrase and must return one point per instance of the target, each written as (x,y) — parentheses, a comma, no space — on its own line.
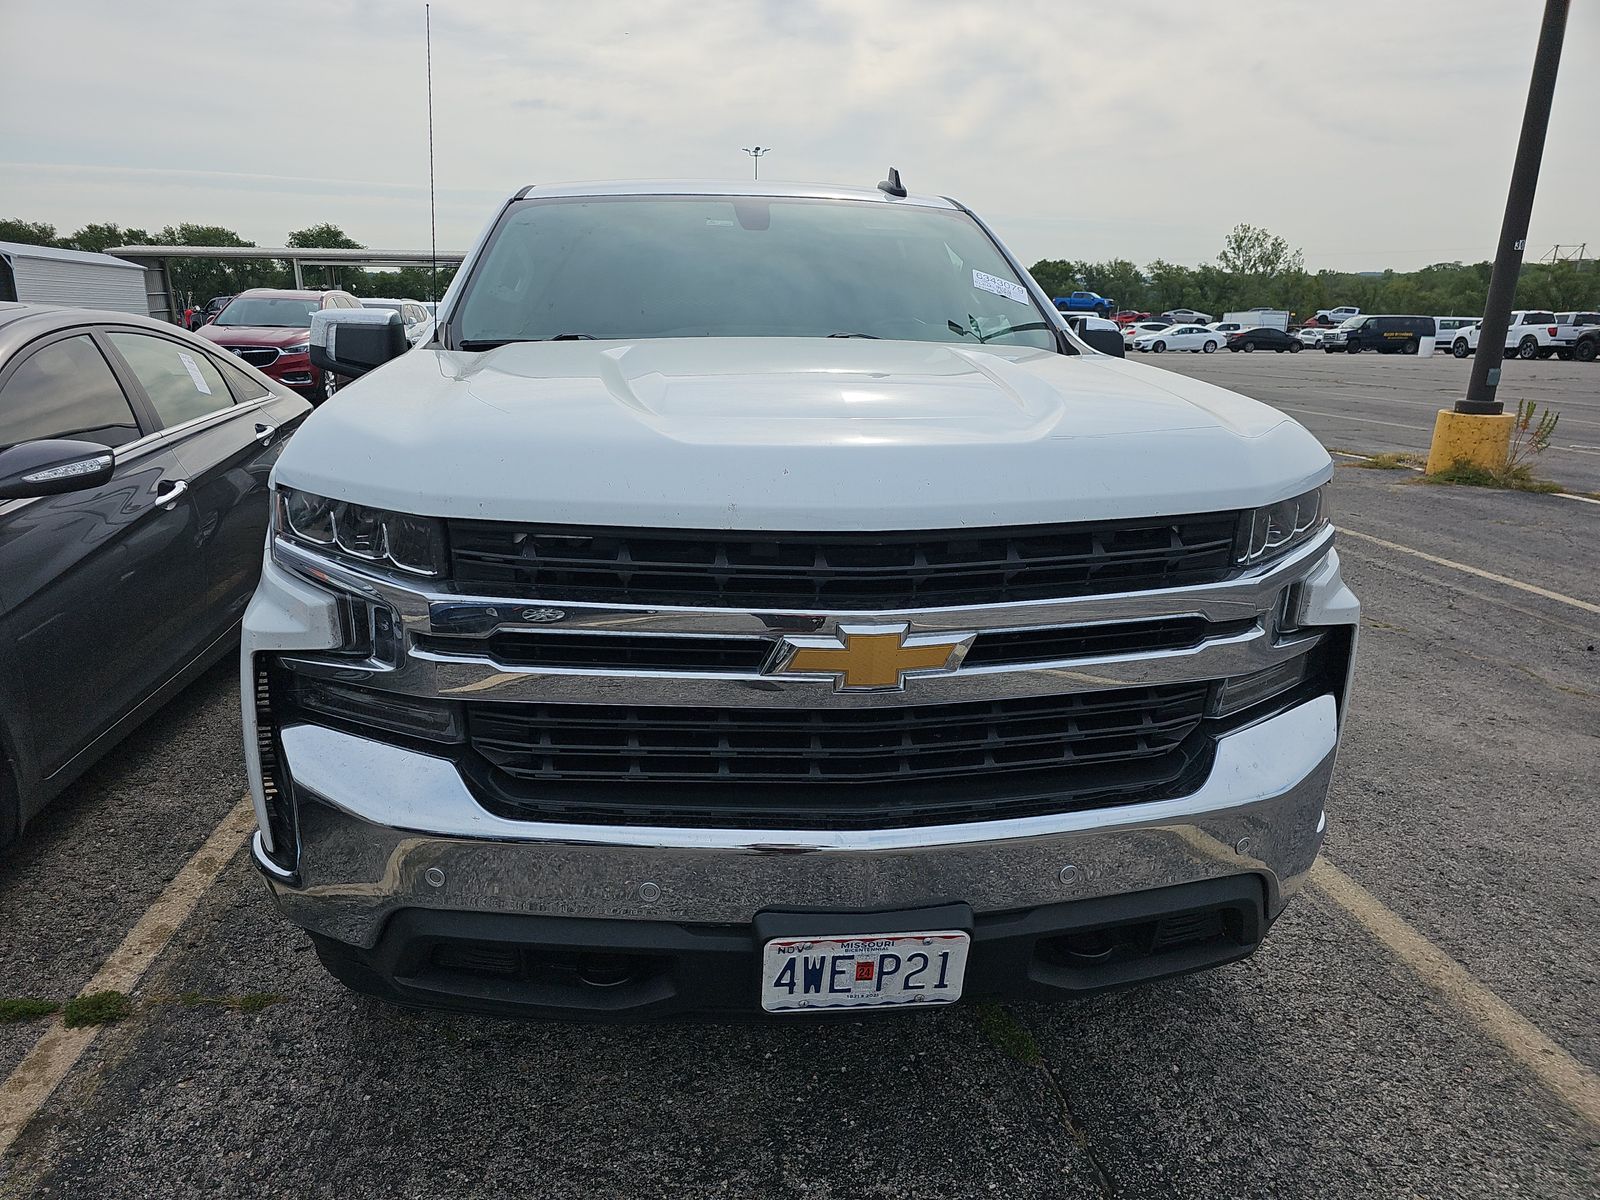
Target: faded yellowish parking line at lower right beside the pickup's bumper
(1561,1073)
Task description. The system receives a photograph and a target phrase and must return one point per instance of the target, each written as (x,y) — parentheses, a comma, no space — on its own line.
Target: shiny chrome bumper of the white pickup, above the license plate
(386,830)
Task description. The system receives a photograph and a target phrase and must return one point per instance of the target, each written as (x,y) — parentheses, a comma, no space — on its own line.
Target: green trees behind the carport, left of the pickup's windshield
(198,281)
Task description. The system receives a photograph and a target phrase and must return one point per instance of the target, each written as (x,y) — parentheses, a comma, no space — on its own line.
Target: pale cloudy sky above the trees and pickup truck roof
(1372,134)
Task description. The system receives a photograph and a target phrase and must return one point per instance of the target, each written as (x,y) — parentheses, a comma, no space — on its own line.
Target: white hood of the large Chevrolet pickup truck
(794,434)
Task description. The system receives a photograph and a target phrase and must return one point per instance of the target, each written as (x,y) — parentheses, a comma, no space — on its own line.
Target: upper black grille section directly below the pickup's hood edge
(841,572)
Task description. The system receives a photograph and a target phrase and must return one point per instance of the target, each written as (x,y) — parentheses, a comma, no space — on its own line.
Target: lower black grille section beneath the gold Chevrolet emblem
(926,764)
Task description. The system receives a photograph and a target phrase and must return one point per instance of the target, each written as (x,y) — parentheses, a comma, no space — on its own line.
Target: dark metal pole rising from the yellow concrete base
(1519,207)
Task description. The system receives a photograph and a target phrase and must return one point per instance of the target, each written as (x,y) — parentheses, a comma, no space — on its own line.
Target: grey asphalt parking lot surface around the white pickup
(1420,1025)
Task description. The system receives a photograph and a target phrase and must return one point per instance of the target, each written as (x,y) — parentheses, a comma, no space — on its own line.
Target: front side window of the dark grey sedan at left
(66,390)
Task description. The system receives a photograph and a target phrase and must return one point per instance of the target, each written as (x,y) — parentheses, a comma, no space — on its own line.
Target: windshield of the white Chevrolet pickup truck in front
(743,268)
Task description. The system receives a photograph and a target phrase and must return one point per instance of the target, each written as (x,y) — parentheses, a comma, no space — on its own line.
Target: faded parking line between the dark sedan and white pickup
(58,1050)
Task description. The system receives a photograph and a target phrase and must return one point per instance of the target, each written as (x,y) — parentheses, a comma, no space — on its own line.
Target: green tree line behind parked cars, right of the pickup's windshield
(1260,270)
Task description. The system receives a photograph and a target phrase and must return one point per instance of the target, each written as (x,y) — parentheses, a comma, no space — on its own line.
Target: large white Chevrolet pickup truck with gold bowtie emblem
(756,599)
